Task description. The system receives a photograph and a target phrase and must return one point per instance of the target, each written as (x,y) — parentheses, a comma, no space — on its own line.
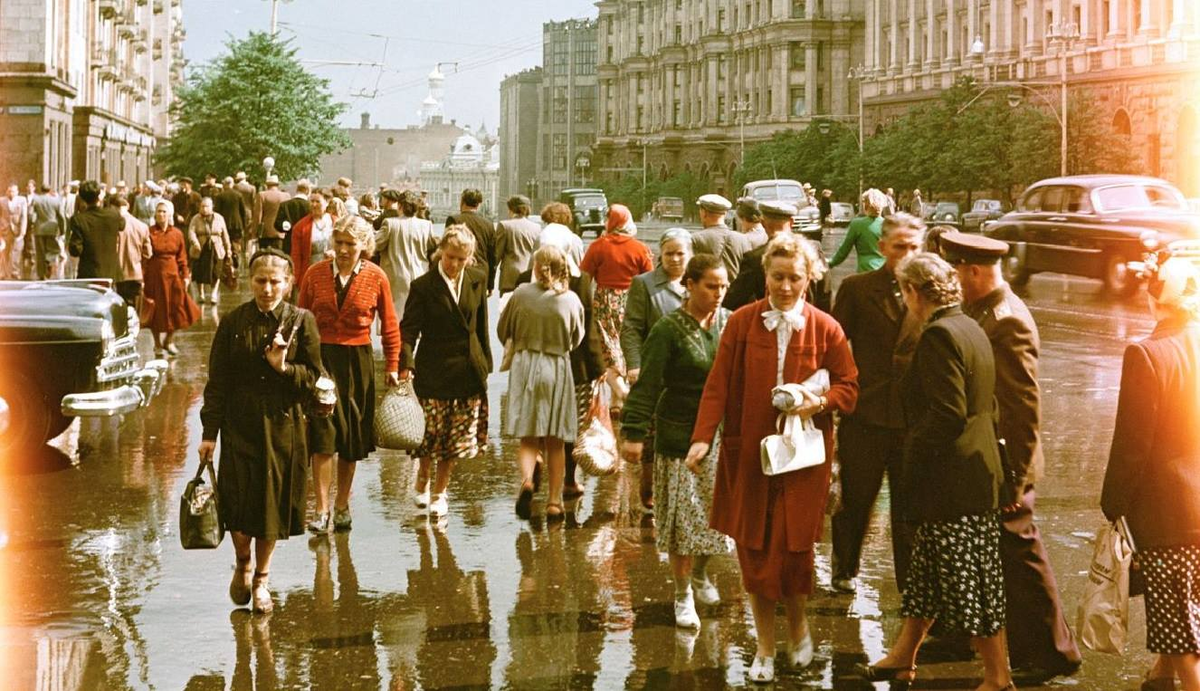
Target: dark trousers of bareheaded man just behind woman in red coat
(867,453)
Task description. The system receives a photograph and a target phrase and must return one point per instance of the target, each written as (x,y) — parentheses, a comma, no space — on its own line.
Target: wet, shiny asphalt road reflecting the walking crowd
(98,593)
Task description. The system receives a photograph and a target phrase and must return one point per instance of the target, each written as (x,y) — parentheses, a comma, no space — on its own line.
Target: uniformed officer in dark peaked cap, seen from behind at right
(1039,638)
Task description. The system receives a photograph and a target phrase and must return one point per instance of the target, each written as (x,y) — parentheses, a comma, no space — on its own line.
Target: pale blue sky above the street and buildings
(489,39)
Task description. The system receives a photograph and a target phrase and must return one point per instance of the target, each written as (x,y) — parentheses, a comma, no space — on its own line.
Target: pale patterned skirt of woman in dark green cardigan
(683,502)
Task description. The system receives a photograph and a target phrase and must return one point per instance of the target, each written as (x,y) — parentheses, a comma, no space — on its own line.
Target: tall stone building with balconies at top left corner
(86,87)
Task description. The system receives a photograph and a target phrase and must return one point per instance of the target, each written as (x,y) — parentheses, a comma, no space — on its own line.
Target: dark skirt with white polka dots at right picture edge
(1173,599)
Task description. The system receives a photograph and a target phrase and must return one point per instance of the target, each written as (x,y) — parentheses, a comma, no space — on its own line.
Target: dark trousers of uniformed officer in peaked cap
(1039,635)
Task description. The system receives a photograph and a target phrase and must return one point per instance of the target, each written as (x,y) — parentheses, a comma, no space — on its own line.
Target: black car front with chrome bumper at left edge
(69,350)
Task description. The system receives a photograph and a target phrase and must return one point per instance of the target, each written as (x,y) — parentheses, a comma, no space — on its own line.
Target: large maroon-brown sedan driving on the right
(1093,226)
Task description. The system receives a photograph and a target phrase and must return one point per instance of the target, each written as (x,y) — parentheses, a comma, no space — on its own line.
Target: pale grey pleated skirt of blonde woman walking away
(542,398)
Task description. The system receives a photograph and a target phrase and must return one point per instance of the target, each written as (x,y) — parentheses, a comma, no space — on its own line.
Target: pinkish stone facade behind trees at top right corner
(1141,59)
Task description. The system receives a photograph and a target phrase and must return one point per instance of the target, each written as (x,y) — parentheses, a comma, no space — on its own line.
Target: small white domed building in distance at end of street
(473,163)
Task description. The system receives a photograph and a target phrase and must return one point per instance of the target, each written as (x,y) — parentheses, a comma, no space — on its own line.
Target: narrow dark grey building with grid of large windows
(569,107)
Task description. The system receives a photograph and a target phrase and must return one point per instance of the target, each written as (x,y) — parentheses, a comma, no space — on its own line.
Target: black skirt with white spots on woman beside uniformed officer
(957,576)
